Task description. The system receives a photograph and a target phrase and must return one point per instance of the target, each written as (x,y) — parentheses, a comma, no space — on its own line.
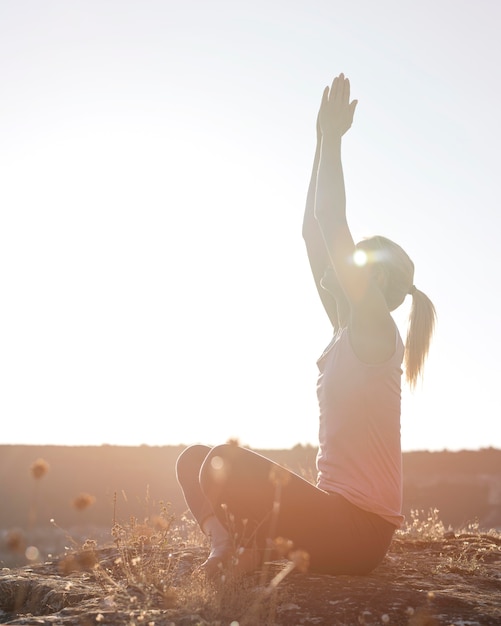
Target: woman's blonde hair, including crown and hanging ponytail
(399,273)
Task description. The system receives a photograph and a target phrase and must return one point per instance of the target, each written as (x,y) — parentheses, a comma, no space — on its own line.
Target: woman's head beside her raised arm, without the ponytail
(394,264)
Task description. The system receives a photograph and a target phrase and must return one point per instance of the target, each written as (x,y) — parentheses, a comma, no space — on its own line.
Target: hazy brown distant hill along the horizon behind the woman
(131,481)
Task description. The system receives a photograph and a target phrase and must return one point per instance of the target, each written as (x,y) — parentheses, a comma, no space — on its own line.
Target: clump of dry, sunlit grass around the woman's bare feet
(154,565)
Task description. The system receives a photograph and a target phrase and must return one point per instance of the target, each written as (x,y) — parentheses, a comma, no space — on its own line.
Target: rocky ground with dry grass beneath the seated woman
(454,579)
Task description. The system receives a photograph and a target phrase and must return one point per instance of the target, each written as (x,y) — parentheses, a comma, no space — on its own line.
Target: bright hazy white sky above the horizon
(154,162)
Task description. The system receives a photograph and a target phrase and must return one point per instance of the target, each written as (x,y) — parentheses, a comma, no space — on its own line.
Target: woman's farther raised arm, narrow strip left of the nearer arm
(329,290)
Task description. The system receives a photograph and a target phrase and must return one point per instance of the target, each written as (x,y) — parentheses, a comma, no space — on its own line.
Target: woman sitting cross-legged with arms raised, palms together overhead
(346,522)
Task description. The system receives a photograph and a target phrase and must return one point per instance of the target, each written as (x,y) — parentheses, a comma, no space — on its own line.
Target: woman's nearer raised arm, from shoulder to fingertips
(372,330)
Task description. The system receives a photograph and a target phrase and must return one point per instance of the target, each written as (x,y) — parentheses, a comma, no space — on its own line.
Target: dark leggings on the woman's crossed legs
(339,537)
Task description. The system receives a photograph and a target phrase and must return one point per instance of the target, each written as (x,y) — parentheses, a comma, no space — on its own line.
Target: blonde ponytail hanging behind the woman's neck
(422,319)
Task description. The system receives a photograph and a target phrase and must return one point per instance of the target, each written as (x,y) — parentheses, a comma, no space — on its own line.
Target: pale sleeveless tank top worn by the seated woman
(359,453)
